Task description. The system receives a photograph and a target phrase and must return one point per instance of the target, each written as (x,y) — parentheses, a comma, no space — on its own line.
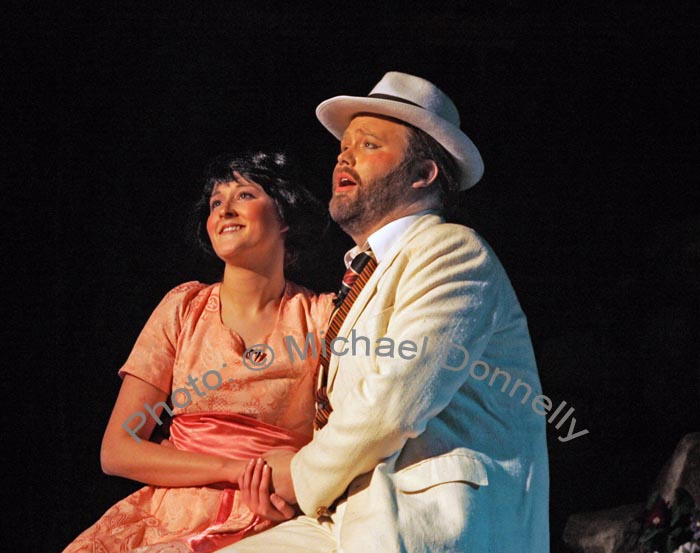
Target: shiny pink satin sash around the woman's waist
(231,435)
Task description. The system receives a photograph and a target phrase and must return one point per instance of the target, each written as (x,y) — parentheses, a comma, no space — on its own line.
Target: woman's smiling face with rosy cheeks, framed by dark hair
(243,223)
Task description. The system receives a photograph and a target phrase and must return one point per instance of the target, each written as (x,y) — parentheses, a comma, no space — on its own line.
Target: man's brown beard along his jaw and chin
(372,200)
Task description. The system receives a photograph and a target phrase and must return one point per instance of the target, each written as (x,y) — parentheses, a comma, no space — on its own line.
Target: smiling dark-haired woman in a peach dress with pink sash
(221,355)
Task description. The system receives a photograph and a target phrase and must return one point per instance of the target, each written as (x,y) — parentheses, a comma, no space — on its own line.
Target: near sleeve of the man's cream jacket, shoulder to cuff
(446,288)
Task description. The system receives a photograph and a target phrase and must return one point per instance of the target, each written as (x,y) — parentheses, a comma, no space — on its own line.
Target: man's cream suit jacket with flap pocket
(433,458)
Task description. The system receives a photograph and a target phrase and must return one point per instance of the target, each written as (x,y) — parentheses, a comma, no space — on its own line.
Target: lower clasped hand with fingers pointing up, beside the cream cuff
(255,484)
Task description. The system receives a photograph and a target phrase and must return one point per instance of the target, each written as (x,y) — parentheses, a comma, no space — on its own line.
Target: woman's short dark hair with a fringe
(298,209)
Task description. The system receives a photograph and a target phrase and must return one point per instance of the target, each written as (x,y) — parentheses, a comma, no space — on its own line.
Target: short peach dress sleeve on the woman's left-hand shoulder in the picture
(153,355)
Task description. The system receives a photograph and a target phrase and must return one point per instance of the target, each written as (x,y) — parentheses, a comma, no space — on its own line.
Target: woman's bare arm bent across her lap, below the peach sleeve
(150,463)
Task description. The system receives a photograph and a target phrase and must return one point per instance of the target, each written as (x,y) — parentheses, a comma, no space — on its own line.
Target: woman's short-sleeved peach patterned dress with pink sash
(221,405)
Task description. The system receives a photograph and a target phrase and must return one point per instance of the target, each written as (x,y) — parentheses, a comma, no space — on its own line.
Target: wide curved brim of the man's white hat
(336,113)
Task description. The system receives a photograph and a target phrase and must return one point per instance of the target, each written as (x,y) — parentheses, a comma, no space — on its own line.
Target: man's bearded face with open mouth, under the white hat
(372,176)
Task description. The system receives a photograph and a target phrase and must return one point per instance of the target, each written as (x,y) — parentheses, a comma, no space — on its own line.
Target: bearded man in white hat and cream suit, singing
(415,449)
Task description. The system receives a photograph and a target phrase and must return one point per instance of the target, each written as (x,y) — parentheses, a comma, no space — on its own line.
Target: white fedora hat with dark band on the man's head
(415,101)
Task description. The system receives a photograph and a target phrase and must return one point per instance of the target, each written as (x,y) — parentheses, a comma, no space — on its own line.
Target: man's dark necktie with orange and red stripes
(354,279)
